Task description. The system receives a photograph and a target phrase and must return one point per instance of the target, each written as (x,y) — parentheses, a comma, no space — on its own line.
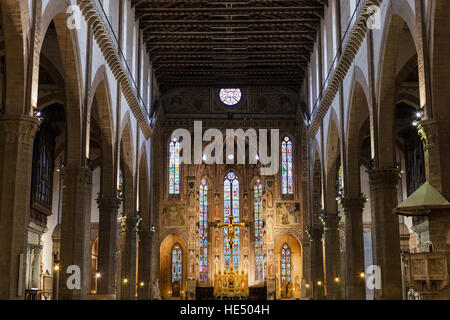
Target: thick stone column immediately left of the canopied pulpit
(386,231)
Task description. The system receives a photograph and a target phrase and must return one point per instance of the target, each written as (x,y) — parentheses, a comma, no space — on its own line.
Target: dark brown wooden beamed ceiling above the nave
(229,43)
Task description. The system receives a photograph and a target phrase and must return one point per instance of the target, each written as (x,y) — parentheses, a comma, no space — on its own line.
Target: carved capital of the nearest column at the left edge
(18,128)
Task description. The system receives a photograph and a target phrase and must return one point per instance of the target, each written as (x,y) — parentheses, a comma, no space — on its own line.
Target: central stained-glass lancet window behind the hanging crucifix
(231,207)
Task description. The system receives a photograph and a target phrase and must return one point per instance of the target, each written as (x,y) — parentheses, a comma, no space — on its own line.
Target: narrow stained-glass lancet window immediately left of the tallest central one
(203,232)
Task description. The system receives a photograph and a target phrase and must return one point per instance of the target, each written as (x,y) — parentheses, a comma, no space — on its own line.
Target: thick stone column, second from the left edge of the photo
(75,233)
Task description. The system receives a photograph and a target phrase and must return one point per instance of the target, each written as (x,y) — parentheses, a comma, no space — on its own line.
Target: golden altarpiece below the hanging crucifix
(231,284)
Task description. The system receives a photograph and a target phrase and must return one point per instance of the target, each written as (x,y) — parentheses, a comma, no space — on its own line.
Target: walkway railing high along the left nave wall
(106,22)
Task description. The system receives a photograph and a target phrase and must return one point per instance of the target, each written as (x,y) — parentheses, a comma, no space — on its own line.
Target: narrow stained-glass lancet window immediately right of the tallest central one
(259,261)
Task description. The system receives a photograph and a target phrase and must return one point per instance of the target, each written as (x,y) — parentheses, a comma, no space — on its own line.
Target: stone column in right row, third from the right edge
(354,248)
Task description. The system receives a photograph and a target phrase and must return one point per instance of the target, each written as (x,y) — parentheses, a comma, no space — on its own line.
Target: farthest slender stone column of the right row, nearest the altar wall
(316,232)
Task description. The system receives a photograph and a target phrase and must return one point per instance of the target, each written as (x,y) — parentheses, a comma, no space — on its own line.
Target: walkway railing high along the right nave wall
(342,45)
